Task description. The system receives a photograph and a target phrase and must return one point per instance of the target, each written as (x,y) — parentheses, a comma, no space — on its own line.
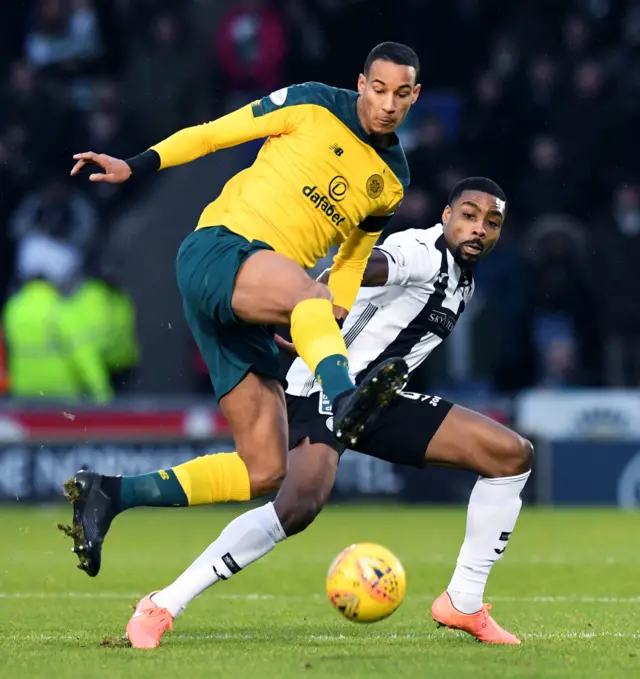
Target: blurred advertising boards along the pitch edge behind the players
(587,449)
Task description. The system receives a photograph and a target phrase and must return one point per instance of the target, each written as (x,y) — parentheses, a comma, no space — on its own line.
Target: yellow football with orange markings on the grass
(366,582)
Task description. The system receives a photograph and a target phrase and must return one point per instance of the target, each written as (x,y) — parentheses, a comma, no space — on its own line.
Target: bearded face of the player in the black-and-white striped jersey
(472,226)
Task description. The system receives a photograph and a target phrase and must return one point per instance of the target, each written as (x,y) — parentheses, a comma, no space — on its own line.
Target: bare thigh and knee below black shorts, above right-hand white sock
(468,440)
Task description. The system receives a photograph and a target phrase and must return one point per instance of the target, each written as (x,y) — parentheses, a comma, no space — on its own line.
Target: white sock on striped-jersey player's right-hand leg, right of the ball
(494,507)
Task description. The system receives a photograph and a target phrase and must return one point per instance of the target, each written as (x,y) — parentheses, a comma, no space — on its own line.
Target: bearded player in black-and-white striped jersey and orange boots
(415,287)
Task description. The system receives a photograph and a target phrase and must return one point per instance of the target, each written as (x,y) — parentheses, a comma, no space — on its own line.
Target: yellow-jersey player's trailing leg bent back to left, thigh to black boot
(257,415)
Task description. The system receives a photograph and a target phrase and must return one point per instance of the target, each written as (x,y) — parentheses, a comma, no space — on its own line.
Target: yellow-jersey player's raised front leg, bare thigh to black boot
(271,289)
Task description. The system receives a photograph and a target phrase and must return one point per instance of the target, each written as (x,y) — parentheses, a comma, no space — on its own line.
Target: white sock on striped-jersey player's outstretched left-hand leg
(246,539)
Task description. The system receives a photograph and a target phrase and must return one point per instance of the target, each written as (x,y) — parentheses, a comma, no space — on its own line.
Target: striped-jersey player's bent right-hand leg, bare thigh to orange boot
(472,441)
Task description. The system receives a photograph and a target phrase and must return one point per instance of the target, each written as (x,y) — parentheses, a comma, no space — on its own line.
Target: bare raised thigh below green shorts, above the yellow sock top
(269,285)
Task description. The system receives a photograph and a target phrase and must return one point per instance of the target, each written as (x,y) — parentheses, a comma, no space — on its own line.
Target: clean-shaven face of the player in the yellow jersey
(387,93)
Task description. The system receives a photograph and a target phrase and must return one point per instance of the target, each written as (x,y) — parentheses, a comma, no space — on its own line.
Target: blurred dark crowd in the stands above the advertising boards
(541,95)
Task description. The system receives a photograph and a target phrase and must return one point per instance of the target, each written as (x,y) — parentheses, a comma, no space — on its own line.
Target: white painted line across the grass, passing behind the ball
(319,597)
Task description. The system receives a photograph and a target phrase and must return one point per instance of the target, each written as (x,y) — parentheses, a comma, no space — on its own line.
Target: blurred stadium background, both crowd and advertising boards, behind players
(541,95)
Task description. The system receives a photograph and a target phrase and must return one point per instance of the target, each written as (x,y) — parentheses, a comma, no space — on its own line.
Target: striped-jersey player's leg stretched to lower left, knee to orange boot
(249,537)
